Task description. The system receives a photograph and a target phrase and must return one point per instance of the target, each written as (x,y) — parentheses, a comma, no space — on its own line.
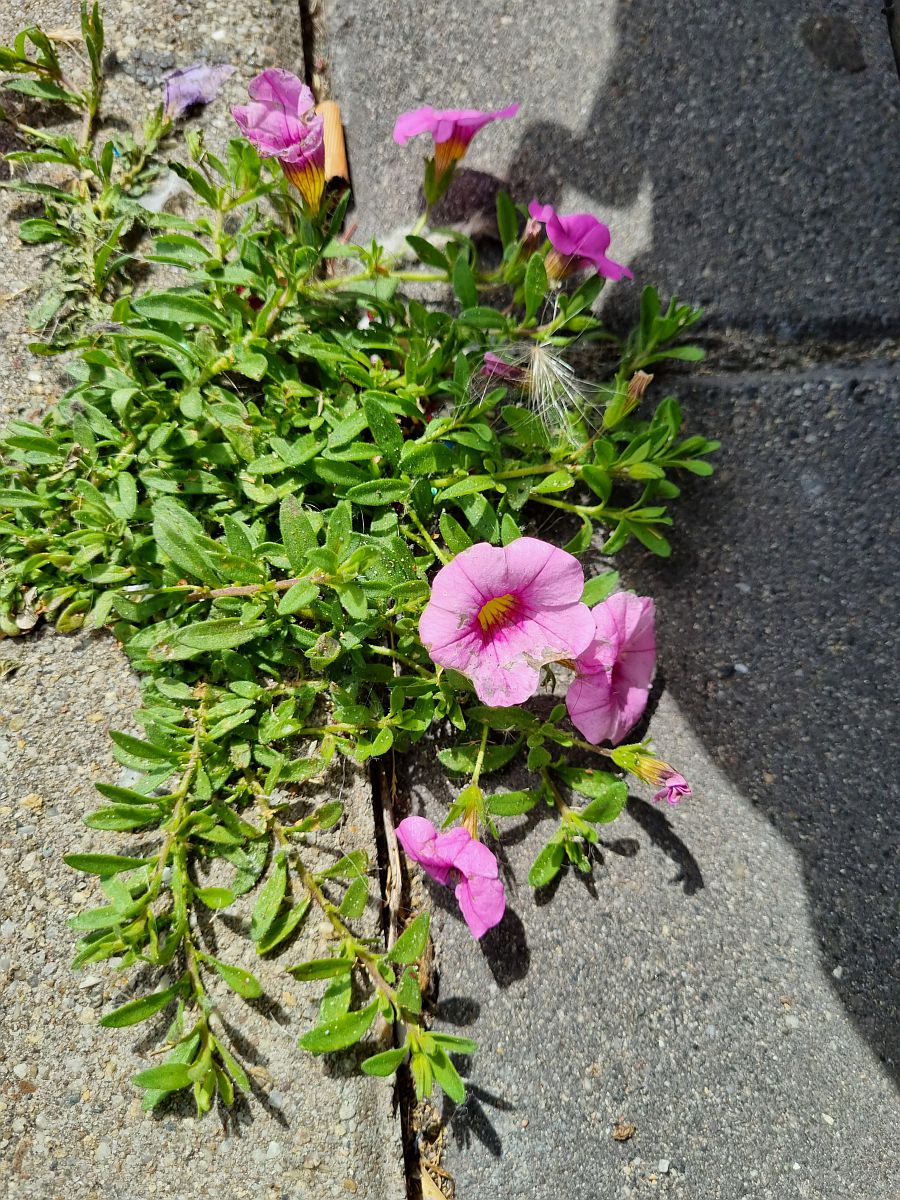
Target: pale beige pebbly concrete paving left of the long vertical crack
(70,1121)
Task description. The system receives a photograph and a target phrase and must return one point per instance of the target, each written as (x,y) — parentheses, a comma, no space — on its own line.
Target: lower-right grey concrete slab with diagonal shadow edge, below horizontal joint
(727,980)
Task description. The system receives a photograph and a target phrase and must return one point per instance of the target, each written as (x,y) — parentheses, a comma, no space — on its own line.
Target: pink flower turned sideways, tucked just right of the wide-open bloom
(615,675)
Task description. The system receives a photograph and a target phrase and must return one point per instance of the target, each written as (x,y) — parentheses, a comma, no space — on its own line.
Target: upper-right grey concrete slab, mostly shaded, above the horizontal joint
(745,158)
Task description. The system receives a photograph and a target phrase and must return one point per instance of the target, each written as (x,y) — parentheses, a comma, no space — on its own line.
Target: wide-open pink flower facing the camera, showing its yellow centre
(499,614)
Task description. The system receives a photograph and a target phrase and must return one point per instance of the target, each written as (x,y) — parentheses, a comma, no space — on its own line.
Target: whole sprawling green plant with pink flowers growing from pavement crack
(304,503)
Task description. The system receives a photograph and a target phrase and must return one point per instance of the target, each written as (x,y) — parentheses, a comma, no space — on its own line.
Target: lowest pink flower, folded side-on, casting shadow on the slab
(457,855)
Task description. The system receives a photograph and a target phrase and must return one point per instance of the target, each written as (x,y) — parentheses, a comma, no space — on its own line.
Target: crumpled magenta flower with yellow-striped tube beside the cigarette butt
(281,122)
